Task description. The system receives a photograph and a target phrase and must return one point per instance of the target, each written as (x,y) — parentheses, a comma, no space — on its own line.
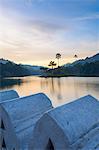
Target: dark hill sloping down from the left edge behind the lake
(11,69)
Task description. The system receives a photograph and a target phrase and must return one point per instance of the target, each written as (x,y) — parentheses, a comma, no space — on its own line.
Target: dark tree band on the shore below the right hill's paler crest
(87,69)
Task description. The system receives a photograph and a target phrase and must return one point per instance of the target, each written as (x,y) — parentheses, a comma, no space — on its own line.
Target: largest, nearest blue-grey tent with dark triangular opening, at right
(65,125)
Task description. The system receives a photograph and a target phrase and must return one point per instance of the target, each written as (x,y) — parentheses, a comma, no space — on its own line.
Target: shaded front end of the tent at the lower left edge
(7,132)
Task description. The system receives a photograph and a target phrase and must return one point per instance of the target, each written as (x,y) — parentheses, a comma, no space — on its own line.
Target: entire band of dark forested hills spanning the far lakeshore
(84,67)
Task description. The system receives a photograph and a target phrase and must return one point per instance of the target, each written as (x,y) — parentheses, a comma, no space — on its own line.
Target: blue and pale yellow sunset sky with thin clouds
(33,31)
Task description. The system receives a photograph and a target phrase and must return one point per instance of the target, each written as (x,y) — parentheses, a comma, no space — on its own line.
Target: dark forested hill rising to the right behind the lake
(83,67)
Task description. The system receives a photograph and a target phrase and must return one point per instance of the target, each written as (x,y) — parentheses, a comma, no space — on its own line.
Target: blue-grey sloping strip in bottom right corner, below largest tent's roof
(89,141)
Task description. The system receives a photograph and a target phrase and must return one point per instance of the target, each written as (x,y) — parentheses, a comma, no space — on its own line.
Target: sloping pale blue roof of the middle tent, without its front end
(24,113)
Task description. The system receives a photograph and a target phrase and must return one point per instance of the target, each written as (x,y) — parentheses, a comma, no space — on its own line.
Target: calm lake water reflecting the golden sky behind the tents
(59,90)
